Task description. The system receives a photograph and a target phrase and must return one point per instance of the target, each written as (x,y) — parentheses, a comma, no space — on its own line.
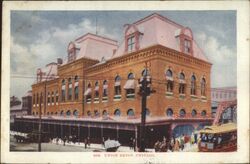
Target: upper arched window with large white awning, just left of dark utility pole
(130,86)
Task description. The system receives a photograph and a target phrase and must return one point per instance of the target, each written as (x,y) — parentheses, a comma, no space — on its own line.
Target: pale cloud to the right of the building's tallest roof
(223,58)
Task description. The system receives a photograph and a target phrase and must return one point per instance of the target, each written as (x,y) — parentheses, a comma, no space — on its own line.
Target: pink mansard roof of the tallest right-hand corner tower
(156,29)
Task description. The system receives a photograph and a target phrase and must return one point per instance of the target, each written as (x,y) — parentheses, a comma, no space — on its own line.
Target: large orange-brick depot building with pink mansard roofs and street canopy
(94,92)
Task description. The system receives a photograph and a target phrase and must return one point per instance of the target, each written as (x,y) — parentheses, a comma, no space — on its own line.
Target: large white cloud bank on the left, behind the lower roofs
(47,45)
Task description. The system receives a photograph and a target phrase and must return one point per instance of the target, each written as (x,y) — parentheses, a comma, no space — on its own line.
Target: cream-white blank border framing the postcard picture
(242,155)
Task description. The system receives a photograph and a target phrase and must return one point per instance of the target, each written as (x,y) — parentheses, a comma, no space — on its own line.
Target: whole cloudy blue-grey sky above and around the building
(40,37)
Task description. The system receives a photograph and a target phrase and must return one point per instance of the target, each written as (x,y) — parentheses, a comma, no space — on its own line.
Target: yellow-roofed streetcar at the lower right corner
(218,138)
